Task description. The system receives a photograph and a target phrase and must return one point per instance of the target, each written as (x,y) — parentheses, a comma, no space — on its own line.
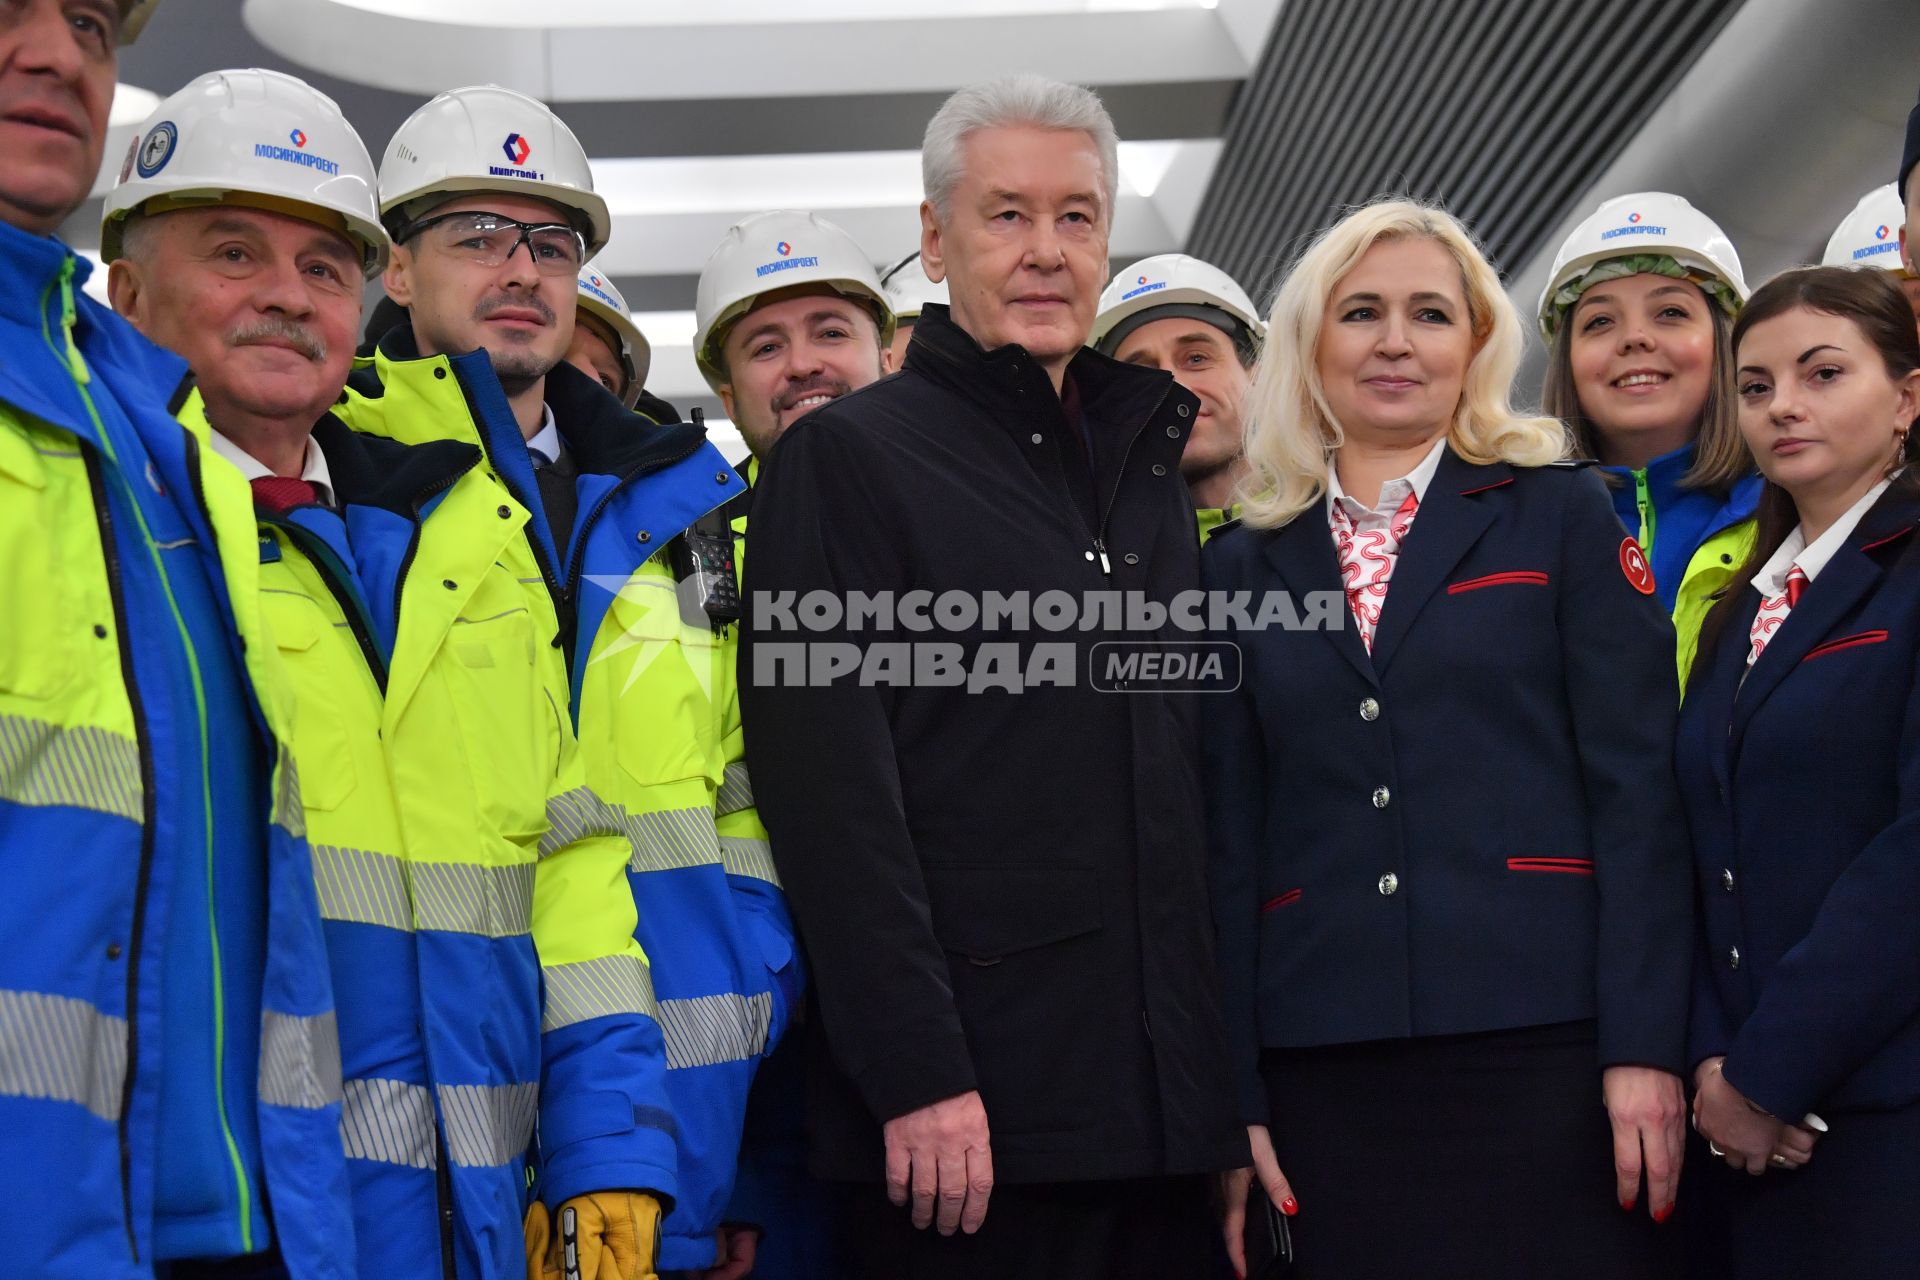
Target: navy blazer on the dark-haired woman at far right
(1802,790)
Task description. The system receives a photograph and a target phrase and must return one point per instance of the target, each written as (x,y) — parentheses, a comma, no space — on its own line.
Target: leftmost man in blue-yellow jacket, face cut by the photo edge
(170,1093)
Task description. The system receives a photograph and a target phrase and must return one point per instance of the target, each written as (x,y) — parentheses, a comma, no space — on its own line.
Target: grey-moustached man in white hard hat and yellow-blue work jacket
(429,746)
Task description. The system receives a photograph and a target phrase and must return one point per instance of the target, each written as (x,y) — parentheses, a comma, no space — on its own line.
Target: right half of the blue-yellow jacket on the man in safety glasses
(658,707)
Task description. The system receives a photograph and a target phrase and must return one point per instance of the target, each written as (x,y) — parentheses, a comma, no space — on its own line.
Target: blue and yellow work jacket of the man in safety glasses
(652,701)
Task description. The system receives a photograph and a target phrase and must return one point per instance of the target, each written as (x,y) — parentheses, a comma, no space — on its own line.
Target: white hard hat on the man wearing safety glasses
(491,139)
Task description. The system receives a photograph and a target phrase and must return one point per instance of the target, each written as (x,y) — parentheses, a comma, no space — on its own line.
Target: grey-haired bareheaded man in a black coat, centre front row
(994,853)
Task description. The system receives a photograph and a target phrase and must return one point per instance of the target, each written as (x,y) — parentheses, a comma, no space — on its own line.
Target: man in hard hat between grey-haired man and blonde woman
(1195,321)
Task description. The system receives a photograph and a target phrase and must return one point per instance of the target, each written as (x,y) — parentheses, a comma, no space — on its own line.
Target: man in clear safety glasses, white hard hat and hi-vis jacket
(492,210)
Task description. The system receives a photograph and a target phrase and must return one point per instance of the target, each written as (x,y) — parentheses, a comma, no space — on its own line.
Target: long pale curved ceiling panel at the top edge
(606,53)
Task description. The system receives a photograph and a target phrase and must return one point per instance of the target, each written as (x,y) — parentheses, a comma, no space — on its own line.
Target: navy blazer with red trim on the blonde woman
(1477,826)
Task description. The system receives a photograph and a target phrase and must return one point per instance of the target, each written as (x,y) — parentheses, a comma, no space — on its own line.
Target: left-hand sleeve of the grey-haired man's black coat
(825,776)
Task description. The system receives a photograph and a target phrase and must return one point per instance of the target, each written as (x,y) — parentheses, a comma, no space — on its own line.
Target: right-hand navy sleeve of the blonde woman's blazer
(1623,699)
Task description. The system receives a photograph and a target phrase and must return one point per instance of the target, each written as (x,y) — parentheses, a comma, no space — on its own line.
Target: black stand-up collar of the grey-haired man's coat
(1013,387)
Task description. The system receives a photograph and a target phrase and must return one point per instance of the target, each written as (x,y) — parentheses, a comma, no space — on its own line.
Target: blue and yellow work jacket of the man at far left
(107,502)
